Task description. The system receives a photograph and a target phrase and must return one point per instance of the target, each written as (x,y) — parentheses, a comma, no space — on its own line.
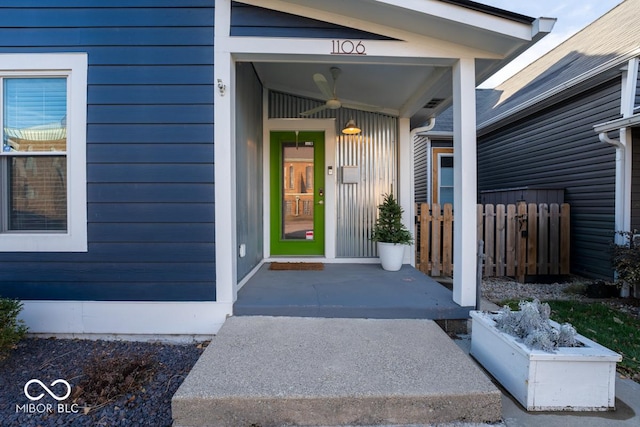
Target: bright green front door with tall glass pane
(297,193)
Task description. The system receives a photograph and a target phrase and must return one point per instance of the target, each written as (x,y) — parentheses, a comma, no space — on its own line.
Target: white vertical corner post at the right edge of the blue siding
(225,161)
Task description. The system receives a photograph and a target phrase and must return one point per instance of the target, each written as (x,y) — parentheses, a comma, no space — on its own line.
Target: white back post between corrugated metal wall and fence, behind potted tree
(406,196)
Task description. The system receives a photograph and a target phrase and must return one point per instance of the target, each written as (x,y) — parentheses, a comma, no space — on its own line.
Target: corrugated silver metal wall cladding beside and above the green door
(374,151)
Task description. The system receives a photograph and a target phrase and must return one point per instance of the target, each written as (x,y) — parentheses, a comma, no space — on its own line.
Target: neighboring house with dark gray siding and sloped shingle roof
(571,120)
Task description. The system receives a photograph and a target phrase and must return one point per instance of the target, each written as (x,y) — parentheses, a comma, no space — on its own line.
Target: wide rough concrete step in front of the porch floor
(274,371)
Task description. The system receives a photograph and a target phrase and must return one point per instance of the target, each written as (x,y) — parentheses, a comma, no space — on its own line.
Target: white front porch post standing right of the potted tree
(465,182)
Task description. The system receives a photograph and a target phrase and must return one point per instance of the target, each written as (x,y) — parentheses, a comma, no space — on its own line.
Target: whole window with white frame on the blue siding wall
(42,163)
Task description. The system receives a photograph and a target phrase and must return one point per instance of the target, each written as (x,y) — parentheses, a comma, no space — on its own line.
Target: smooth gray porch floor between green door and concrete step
(348,291)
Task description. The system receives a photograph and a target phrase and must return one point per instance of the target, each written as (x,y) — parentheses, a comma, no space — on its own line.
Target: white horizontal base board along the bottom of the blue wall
(127,318)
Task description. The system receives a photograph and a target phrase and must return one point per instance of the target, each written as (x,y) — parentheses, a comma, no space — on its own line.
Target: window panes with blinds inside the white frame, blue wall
(33,164)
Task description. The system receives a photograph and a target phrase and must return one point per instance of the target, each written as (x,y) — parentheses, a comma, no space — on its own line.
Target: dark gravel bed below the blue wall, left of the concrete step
(50,359)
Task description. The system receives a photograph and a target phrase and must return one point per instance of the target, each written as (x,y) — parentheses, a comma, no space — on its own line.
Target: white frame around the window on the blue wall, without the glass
(74,67)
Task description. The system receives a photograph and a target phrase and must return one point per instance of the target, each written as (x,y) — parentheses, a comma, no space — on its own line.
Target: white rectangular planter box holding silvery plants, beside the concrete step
(571,379)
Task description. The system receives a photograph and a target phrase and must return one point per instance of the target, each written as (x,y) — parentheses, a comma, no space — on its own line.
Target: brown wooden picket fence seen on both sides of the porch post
(519,240)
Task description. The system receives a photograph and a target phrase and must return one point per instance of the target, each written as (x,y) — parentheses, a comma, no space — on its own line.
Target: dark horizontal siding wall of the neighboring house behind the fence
(557,147)
